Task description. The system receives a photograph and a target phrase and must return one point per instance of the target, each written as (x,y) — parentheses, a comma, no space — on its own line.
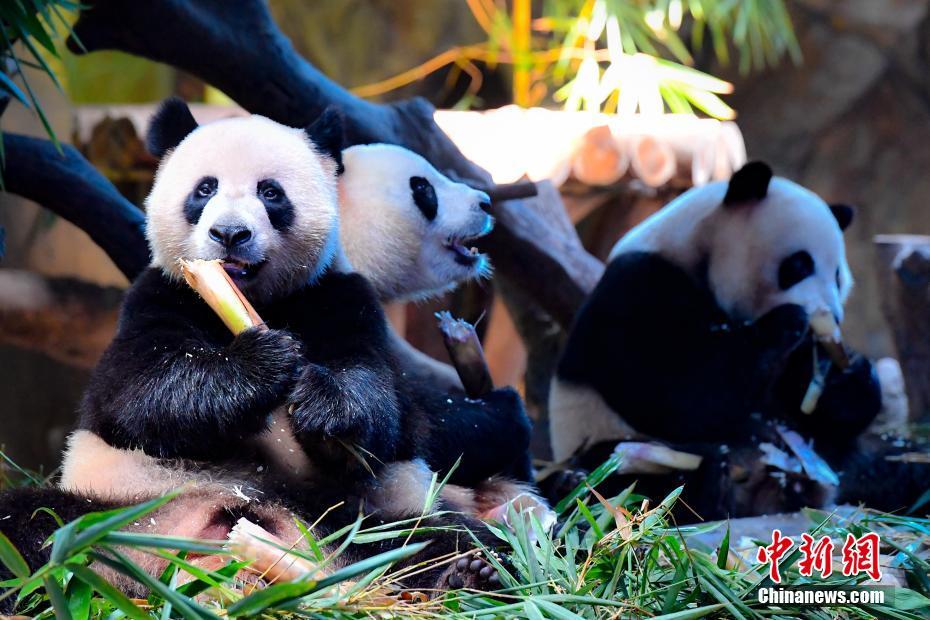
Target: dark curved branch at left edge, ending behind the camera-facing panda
(71,187)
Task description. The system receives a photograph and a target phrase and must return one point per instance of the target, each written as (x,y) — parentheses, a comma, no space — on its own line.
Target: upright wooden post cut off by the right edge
(904,277)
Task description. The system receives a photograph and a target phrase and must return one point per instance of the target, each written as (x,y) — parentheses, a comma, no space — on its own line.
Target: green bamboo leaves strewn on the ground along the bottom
(607,558)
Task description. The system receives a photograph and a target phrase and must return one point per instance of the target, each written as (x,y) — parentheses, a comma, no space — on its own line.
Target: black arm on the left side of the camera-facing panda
(176,384)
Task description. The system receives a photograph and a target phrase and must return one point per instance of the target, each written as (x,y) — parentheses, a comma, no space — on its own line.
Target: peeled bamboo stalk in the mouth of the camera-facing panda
(214,285)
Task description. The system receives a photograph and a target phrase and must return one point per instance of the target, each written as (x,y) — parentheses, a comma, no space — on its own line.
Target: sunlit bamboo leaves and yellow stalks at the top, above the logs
(620,56)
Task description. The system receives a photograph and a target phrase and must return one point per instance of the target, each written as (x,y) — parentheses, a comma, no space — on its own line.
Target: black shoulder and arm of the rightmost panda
(653,343)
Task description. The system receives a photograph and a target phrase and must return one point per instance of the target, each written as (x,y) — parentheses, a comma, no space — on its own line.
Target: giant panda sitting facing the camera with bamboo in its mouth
(175,398)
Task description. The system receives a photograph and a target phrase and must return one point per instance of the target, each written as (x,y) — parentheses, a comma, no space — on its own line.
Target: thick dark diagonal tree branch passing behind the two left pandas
(243,53)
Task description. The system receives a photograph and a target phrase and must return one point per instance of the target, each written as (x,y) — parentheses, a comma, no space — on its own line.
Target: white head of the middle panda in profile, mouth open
(405,226)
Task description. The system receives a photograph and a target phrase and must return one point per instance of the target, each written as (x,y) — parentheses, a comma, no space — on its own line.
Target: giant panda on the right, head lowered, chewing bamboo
(698,335)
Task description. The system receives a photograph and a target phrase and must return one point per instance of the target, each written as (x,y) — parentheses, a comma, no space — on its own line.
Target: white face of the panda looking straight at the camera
(252,193)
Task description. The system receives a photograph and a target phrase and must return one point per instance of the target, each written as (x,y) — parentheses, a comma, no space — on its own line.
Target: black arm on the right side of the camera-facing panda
(346,391)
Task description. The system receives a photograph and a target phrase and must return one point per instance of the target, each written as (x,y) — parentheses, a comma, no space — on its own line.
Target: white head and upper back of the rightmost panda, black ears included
(759,242)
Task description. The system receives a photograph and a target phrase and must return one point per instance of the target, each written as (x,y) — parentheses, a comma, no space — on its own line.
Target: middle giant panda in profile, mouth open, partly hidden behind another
(407,228)
